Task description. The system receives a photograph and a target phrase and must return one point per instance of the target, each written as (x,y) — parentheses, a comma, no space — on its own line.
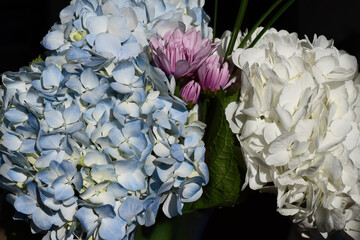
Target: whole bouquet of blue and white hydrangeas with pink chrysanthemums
(137,110)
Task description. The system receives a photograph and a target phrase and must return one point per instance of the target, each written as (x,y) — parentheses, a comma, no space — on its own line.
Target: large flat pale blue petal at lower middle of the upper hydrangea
(107,43)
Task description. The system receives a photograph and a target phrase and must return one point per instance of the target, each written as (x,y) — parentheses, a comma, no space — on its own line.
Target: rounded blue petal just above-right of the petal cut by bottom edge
(130,208)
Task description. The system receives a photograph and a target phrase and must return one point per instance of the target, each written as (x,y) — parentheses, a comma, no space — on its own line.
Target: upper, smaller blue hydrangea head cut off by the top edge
(119,30)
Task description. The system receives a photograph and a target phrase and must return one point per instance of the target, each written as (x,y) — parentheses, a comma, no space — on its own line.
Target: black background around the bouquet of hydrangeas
(23,24)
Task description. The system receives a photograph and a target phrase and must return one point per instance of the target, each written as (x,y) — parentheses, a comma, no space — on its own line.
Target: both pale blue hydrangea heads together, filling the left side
(93,139)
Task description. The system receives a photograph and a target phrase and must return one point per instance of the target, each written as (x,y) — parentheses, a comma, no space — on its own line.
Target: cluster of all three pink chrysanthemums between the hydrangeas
(188,56)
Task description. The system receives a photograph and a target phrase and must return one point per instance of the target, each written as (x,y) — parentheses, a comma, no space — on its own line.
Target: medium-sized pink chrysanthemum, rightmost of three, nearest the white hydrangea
(213,75)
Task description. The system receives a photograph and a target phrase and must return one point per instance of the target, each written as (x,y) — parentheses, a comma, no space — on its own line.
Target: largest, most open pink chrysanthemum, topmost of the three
(181,54)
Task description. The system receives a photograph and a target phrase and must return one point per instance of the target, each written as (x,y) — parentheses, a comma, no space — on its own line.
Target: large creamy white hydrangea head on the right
(298,125)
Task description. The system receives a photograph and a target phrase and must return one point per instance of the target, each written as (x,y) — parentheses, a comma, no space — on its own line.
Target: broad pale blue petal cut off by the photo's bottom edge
(111,229)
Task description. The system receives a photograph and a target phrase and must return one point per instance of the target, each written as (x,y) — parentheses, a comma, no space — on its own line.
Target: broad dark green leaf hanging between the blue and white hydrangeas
(224,185)
